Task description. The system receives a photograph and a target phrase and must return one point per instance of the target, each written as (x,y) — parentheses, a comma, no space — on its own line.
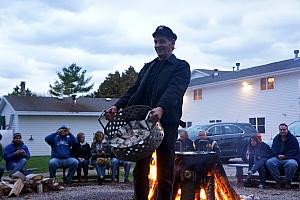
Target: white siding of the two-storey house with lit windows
(232,103)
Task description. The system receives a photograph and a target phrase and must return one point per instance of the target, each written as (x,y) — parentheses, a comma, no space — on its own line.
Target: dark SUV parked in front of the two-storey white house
(232,138)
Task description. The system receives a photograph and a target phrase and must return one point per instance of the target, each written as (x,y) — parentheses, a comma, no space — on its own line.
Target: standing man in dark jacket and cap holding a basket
(161,85)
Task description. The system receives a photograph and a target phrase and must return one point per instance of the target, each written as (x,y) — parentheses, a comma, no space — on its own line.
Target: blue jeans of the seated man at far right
(289,165)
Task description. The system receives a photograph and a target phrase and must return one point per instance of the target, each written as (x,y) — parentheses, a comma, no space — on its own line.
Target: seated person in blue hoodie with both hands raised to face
(61,143)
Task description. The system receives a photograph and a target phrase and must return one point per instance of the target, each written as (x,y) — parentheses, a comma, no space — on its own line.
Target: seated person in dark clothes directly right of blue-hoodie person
(82,152)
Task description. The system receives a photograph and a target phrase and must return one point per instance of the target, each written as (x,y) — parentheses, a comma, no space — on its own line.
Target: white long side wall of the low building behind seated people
(40,126)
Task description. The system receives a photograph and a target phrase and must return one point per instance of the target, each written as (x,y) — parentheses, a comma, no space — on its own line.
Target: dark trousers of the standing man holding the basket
(165,168)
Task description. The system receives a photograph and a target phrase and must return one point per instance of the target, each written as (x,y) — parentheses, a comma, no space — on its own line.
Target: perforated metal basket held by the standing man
(136,151)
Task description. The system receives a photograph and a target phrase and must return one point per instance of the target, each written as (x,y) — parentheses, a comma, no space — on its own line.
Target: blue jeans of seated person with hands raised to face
(55,163)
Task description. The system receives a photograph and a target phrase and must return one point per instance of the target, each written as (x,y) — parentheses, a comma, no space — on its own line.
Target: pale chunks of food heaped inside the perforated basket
(134,132)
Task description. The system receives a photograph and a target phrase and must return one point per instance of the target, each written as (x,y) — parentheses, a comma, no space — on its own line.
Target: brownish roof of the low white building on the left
(52,104)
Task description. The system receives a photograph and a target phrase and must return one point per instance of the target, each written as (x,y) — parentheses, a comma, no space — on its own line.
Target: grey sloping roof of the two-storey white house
(253,71)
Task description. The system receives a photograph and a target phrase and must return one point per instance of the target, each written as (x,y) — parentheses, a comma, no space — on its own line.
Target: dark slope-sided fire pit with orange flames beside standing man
(201,171)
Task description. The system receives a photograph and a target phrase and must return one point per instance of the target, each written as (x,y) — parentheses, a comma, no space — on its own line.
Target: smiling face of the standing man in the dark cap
(163,46)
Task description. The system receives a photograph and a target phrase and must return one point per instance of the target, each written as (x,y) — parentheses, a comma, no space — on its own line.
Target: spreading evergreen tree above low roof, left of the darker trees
(71,80)
